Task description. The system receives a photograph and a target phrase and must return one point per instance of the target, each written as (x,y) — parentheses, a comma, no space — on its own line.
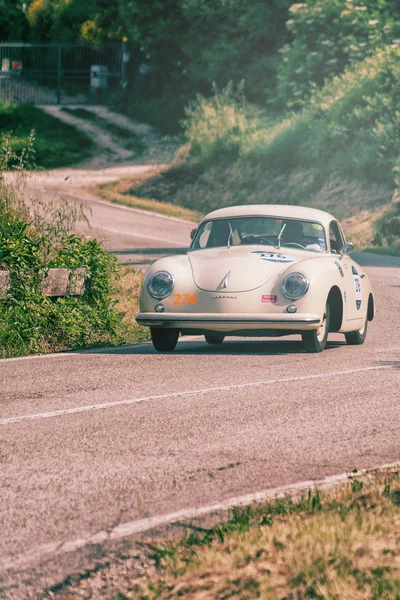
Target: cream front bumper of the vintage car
(230,321)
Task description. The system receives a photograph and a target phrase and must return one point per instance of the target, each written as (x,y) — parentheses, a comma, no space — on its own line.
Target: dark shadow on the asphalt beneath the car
(228,348)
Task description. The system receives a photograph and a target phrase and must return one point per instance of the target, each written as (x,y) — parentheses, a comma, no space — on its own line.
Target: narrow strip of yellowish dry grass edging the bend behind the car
(119,193)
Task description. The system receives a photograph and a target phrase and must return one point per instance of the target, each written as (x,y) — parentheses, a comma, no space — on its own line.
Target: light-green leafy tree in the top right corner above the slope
(327,36)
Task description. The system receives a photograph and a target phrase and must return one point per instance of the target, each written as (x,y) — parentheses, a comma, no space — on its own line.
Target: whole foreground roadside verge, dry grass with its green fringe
(340,544)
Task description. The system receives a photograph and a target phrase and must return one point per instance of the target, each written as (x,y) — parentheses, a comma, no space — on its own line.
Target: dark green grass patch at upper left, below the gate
(56,144)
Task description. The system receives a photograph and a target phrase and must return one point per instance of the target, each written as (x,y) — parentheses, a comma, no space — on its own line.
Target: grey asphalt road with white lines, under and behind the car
(91,441)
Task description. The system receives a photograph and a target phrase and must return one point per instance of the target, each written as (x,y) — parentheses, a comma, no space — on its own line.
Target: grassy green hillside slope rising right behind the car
(340,153)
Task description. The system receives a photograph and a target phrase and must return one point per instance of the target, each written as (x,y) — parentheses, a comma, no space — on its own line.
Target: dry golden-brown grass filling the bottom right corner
(346,548)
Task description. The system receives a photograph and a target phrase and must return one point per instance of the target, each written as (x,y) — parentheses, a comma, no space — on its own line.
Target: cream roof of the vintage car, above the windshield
(272,210)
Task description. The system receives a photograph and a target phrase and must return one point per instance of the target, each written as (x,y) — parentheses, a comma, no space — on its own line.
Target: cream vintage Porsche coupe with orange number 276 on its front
(260,270)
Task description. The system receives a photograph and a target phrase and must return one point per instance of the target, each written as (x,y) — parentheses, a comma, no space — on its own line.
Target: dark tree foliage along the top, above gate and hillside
(283,51)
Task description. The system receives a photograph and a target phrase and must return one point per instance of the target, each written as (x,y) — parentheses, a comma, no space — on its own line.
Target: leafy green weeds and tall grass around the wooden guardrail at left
(37,236)
